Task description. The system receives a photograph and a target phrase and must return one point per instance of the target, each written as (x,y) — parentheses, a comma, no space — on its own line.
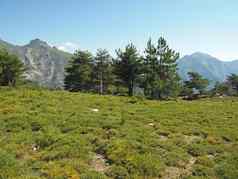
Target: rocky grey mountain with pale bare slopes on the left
(44,64)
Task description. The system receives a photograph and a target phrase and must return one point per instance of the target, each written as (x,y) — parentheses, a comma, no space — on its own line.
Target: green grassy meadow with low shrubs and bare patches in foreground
(56,134)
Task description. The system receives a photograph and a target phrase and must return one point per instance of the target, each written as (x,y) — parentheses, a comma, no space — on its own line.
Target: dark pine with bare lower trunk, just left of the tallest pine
(128,67)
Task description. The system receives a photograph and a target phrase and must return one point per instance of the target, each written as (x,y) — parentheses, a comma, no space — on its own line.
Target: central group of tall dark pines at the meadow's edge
(154,74)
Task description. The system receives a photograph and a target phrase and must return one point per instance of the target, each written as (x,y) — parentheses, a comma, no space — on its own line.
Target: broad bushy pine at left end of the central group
(79,72)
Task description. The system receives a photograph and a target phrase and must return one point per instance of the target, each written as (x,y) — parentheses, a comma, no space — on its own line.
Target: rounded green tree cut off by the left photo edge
(11,69)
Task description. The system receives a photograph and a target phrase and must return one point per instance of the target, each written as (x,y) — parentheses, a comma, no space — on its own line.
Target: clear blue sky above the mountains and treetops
(209,26)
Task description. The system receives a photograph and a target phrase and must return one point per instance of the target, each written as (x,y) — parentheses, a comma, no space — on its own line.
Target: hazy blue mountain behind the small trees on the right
(208,66)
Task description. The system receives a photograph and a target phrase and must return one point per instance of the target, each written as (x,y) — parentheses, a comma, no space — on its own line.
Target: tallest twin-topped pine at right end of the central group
(161,78)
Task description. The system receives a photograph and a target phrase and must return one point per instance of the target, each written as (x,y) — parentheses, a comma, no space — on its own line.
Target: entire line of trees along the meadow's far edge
(153,74)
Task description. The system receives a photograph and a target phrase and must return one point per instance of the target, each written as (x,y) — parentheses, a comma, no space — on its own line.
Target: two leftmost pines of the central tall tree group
(87,73)
